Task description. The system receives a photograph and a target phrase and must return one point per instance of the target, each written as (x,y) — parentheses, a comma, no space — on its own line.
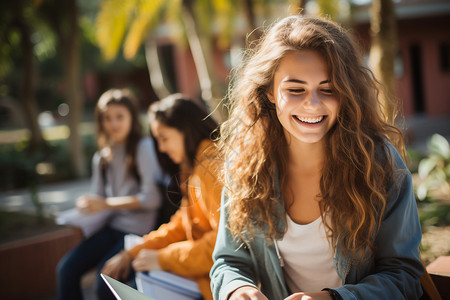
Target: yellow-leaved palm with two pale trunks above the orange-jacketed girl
(138,19)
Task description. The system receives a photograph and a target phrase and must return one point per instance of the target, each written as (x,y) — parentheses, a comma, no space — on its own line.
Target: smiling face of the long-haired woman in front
(302,93)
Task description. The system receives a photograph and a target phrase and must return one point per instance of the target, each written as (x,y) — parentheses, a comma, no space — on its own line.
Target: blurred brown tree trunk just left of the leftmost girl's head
(75,97)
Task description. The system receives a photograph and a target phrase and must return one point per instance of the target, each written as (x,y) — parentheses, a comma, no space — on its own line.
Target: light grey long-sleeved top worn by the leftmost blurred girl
(119,182)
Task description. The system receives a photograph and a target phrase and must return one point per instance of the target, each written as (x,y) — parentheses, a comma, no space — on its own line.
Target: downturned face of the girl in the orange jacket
(170,141)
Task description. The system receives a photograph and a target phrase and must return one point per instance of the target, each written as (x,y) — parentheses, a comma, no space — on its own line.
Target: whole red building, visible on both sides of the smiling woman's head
(422,66)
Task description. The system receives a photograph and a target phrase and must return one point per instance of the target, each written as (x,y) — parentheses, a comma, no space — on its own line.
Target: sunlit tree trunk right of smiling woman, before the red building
(383,52)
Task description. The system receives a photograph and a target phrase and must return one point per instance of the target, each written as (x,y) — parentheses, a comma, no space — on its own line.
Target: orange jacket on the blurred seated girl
(186,243)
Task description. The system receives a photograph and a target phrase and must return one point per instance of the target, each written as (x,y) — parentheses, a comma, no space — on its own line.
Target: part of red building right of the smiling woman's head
(423,62)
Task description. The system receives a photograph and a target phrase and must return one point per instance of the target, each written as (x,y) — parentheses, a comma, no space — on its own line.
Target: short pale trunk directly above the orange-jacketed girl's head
(157,79)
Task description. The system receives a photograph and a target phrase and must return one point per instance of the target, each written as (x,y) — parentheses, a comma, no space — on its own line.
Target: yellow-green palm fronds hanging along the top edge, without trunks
(133,20)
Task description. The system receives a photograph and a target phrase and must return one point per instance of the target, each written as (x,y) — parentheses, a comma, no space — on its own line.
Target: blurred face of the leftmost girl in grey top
(116,121)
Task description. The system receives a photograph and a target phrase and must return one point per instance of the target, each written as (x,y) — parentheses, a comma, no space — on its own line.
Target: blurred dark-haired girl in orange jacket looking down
(185,244)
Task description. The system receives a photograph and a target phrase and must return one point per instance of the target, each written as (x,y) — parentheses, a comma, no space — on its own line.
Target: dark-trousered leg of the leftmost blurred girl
(80,260)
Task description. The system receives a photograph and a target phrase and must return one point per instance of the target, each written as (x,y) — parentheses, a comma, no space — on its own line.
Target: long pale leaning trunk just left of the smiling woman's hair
(202,53)
